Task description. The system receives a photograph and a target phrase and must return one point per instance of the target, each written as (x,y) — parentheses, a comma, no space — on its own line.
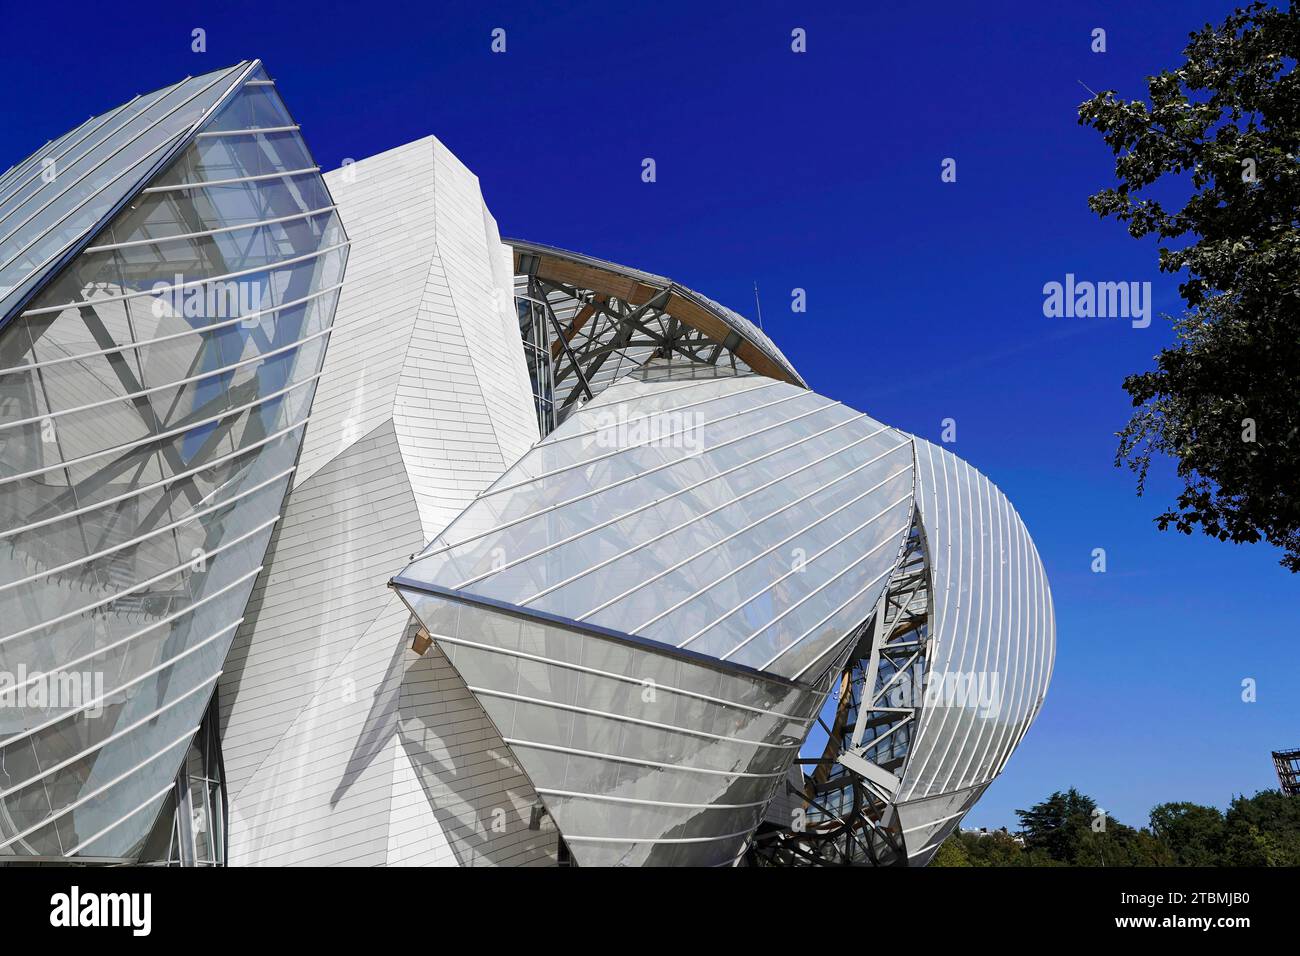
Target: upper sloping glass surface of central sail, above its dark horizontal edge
(742,518)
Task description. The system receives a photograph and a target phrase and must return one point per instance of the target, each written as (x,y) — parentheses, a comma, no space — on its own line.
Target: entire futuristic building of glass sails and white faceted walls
(337,530)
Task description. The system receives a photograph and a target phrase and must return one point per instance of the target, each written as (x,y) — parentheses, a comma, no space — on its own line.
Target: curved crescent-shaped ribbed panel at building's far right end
(994,630)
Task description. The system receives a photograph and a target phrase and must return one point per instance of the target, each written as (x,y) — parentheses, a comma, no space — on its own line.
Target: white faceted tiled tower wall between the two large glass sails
(341,745)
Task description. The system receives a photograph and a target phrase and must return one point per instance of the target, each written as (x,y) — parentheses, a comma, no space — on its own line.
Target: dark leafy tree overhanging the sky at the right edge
(1224,128)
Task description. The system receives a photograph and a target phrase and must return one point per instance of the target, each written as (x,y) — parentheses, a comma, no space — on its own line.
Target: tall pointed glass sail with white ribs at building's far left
(153,401)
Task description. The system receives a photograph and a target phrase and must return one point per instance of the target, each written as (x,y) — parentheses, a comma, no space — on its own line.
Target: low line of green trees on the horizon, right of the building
(1069,830)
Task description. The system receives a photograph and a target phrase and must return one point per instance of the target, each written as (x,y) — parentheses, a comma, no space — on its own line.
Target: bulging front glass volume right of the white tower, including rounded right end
(775,535)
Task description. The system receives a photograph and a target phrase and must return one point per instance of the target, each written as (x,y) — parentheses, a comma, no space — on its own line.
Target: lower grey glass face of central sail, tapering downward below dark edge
(643,759)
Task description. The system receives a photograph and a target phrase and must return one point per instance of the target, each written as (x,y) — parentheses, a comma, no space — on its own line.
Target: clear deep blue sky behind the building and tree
(822,171)
